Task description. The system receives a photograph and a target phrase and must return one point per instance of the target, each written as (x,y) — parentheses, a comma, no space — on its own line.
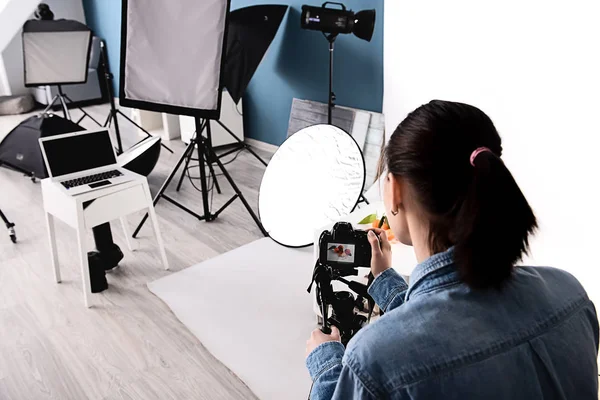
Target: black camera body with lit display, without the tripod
(344,248)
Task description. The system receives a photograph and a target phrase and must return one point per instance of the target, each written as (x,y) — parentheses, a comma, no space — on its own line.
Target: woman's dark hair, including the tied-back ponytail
(478,209)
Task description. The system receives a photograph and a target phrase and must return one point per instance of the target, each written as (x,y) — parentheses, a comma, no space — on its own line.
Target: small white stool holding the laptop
(107,204)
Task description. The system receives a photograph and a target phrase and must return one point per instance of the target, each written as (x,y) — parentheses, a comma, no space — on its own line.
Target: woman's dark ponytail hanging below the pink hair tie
(492,226)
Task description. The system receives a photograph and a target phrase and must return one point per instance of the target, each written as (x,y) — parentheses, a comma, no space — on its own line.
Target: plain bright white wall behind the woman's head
(534,68)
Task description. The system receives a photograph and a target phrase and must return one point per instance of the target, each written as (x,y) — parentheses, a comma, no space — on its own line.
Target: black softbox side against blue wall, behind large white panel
(250,33)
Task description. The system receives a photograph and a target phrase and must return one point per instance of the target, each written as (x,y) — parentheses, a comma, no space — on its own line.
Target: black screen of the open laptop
(79,153)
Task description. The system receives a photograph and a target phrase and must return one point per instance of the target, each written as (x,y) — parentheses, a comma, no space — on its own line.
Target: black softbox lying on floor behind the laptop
(20,149)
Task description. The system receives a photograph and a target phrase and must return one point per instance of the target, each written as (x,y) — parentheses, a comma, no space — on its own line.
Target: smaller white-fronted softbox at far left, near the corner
(55,52)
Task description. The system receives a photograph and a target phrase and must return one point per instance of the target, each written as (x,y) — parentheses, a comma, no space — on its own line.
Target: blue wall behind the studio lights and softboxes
(296,65)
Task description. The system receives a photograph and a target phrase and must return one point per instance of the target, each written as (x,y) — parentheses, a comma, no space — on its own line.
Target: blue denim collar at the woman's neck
(437,271)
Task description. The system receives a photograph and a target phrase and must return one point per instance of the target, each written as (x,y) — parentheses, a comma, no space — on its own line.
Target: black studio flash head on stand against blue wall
(334,20)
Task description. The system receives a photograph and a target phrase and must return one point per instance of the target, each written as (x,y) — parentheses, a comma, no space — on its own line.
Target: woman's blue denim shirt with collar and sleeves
(536,338)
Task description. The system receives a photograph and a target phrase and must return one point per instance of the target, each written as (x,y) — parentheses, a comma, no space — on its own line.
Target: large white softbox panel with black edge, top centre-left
(172,55)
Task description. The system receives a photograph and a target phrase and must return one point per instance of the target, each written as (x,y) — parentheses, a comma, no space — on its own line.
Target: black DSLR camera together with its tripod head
(341,251)
